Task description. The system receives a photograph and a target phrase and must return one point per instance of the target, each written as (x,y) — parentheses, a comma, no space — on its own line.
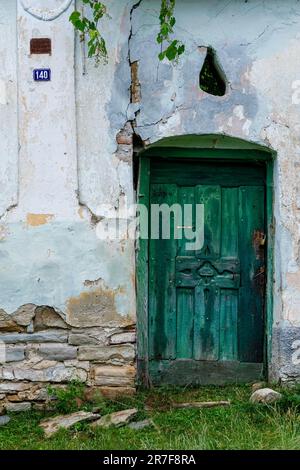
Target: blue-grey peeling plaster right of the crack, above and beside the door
(257,45)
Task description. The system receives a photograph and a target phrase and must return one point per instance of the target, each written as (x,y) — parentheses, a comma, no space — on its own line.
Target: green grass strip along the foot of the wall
(240,426)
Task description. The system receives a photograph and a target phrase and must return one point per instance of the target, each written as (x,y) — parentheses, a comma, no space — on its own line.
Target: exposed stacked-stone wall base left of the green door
(39,348)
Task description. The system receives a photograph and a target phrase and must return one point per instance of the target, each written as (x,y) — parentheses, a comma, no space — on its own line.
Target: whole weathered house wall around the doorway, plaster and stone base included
(66,149)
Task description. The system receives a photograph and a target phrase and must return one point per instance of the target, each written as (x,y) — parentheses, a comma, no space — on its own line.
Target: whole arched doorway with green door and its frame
(205,310)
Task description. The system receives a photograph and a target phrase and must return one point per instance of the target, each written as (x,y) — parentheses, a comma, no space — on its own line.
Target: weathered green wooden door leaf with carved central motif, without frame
(206,307)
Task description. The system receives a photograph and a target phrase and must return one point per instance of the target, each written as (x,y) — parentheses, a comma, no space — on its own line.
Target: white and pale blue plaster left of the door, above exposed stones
(66,139)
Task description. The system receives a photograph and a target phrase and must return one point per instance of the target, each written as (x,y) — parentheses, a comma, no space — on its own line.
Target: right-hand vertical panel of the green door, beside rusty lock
(251,293)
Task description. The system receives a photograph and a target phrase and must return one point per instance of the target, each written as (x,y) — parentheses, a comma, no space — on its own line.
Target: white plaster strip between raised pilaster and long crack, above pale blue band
(103,97)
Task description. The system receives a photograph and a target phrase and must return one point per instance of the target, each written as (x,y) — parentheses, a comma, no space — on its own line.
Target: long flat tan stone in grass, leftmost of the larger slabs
(51,426)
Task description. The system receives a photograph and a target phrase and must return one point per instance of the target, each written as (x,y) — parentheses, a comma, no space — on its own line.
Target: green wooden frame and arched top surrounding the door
(217,148)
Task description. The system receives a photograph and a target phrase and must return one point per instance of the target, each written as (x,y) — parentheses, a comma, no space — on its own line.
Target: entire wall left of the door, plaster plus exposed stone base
(67,298)
